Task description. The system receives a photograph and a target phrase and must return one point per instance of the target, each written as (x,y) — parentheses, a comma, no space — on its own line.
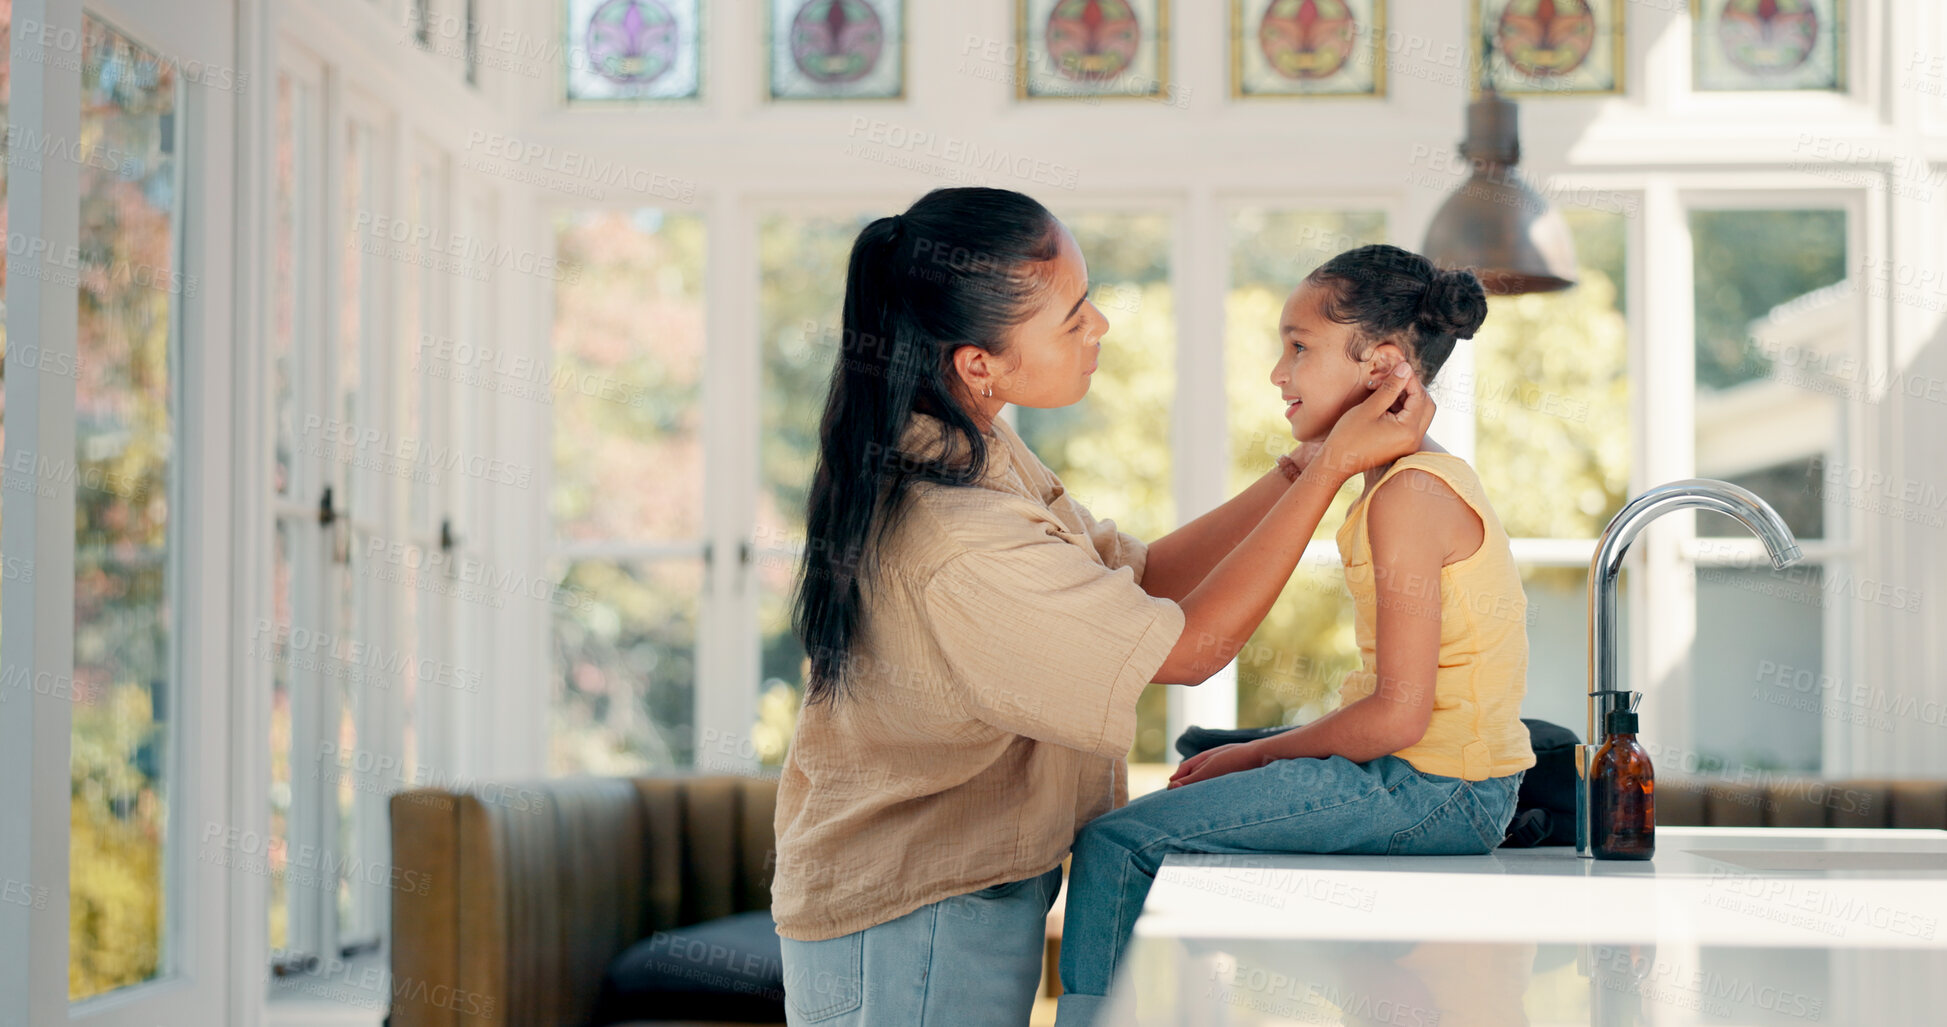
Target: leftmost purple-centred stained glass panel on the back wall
(634,50)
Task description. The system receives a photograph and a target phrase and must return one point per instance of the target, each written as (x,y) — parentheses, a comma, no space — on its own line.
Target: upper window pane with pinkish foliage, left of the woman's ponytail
(628,379)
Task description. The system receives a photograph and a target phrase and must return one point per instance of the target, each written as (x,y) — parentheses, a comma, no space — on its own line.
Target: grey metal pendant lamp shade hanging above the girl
(1496,223)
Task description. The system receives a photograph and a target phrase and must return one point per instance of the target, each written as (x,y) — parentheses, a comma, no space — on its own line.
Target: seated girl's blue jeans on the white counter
(1335,806)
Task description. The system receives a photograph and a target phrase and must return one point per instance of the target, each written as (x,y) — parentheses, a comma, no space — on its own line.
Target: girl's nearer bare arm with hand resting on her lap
(1414,533)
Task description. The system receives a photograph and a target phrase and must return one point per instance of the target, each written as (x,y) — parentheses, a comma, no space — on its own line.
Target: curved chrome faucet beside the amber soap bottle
(1703,494)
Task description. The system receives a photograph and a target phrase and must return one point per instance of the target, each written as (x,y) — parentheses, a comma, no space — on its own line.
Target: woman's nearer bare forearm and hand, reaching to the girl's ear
(1231,601)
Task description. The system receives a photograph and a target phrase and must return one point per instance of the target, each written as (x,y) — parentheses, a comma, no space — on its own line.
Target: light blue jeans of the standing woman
(969,960)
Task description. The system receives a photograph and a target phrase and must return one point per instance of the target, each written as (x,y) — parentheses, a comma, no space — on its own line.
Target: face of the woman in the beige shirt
(1048,358)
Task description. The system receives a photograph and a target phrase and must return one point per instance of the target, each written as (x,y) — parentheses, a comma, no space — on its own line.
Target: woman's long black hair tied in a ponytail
(953,270)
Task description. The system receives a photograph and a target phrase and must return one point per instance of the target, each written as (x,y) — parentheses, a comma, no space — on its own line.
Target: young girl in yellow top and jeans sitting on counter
(1426,751)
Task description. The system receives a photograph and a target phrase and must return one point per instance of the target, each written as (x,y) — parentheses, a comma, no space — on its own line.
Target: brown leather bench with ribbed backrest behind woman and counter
(533,892)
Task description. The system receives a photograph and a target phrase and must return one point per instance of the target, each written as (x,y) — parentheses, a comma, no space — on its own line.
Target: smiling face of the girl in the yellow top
(1313,373)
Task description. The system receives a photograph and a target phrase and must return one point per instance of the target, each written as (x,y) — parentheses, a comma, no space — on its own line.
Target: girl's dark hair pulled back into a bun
(1397,295)
